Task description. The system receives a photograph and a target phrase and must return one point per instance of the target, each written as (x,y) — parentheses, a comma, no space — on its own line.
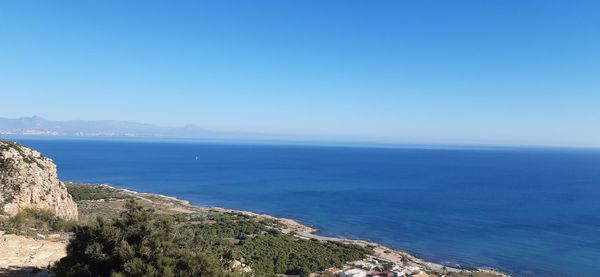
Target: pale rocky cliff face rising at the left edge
(29,180)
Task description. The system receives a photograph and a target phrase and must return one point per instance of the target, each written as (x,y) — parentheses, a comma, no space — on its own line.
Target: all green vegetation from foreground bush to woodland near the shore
(141,242)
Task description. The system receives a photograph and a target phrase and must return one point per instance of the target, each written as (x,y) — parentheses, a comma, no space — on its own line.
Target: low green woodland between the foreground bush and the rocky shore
(267,251)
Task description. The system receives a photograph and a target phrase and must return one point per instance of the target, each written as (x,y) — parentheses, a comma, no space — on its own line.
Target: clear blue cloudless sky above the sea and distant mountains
(516,72)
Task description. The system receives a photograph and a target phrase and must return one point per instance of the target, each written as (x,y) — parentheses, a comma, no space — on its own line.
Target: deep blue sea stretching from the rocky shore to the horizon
(532,212)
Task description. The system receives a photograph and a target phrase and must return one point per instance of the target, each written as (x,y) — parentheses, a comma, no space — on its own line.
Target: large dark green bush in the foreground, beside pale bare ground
(137,243)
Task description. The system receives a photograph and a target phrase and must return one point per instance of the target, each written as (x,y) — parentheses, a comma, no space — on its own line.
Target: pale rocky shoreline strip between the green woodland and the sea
(302,231)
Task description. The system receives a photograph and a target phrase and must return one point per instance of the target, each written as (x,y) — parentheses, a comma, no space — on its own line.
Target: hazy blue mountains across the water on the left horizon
(36,125)
